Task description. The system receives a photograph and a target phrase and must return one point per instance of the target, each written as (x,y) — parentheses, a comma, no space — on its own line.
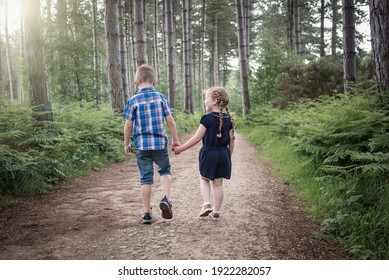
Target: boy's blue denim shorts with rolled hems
(145,160)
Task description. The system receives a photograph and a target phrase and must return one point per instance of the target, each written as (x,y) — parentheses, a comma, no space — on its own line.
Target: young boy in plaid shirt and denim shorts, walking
(145,113)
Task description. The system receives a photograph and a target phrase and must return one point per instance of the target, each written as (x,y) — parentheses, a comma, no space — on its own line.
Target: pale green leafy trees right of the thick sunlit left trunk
(69,51)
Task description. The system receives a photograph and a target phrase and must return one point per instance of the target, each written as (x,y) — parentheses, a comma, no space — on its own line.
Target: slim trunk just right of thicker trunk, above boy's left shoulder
(123,50)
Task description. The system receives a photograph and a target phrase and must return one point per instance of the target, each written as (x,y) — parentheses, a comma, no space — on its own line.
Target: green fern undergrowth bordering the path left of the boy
(35,155)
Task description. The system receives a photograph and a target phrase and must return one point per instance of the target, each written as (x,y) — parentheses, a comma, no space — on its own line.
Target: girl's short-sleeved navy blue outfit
(214,156)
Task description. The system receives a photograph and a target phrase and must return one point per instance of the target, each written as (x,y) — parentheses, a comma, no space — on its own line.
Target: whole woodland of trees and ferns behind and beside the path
(304,87)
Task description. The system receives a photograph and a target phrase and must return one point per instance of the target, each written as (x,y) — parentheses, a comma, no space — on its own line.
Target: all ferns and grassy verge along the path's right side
(335,150)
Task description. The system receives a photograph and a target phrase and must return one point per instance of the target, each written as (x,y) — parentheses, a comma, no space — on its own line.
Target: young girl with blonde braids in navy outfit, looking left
(217,132)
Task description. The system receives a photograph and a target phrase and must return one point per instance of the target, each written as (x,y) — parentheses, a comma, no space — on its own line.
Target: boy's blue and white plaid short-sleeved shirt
(148,110)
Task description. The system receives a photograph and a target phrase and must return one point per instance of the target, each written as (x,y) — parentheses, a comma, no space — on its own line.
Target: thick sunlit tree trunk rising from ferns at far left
(38,86)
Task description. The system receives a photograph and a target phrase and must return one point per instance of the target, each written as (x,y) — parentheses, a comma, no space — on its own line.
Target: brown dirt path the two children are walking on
(98,217)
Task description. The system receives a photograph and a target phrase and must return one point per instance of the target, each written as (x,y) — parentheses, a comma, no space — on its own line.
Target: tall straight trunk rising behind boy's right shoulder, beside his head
(169,51)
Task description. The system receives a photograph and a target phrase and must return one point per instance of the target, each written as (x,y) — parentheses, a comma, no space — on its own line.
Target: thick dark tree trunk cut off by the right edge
(379,25)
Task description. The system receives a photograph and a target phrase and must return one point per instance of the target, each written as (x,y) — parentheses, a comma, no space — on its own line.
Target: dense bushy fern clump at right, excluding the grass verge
(346,135)
